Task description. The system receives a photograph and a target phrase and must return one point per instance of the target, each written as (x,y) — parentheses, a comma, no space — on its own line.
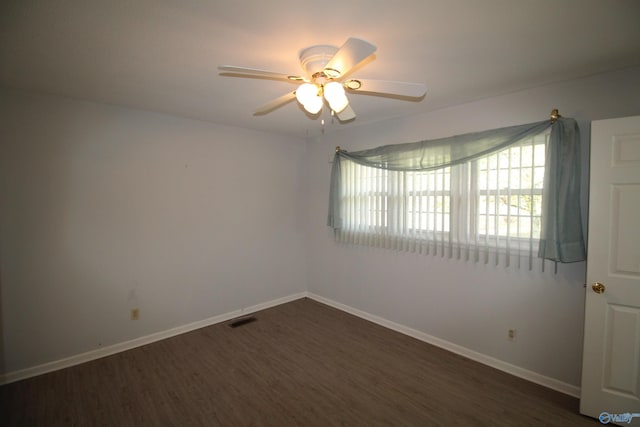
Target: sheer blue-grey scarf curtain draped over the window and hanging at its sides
(561,237)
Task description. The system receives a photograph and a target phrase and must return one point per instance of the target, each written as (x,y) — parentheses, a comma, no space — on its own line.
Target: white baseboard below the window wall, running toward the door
(517,371)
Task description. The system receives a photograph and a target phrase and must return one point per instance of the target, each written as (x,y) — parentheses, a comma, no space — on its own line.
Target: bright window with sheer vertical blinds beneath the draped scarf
(491,202)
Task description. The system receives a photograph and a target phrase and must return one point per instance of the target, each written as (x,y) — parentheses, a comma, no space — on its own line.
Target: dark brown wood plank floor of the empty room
(299,364)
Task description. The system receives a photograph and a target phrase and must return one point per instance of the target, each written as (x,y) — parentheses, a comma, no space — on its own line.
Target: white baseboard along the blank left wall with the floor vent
(22,374)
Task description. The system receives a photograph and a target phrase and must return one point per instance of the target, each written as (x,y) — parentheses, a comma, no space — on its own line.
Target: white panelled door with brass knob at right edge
(611,359)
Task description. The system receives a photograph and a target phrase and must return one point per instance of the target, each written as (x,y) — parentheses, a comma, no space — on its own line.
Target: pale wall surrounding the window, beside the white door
(466,304)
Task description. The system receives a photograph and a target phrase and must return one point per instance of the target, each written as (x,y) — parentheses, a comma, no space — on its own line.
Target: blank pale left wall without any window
(104,209)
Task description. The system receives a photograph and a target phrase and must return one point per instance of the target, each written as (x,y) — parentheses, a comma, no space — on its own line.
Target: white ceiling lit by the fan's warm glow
(162,55)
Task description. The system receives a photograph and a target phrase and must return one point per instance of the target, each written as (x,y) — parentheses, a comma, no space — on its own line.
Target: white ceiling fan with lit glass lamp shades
(325,70)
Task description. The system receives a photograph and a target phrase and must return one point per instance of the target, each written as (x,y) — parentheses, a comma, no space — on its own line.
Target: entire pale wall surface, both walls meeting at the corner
(104,208)
